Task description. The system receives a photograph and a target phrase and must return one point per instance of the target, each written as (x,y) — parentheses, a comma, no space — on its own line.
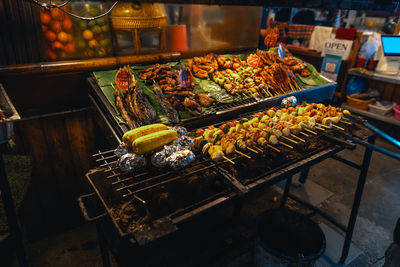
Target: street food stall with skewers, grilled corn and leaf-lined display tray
(155,136)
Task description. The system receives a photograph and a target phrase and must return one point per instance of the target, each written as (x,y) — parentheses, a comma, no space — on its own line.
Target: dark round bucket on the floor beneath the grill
(287,238)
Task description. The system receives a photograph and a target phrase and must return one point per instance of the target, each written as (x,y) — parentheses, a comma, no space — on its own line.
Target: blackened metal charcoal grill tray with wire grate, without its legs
(151,201)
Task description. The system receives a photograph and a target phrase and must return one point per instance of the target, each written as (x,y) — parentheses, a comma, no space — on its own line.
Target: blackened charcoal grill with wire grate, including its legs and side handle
(156,218)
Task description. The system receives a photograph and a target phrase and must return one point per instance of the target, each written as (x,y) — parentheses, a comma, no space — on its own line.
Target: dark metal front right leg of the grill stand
(356,201)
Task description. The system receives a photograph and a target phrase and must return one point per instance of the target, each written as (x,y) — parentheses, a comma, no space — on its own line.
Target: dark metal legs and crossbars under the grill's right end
(356,202)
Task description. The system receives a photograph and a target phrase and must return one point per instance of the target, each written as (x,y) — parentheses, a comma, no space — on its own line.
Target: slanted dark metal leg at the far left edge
(15,232)
